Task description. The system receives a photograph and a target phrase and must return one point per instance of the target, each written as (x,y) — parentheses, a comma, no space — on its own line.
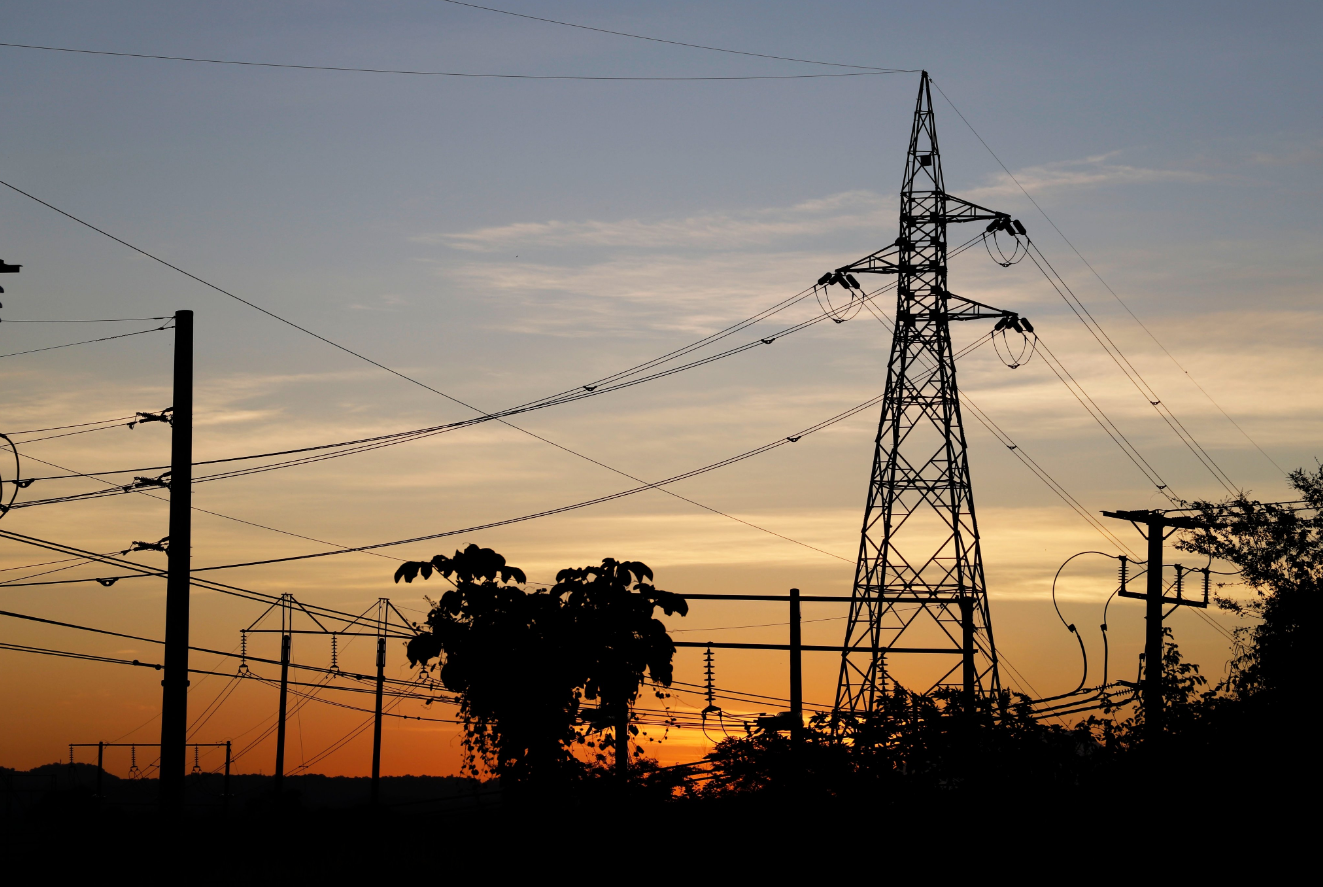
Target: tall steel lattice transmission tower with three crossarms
(919,583)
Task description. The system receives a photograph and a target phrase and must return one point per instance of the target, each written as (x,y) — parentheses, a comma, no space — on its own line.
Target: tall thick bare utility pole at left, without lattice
(175,681)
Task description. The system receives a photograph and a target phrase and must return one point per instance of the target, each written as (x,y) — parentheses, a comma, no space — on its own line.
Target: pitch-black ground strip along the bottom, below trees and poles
(443,829)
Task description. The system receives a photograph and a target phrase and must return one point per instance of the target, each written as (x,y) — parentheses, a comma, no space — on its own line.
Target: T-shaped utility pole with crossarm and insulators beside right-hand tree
(1157,526)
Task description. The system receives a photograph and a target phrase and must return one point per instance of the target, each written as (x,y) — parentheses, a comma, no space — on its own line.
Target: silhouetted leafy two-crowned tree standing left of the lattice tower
(522,663)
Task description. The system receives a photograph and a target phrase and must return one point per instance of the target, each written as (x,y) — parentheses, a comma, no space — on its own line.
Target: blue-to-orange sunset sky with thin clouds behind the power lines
(502,240)
